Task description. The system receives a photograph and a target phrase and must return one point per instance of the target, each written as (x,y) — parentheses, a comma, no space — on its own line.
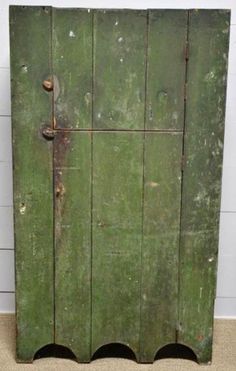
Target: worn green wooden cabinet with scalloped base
(118,124)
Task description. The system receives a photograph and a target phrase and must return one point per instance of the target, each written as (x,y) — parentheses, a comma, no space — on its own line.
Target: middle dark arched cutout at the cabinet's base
(114,350)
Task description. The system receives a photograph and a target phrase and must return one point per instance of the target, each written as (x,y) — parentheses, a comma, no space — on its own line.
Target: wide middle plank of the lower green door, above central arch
(117,226)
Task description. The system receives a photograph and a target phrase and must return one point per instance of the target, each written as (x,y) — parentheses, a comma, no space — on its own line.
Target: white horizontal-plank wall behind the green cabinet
(226,285)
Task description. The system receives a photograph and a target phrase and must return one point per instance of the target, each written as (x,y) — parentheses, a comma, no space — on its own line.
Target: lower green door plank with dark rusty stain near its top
(72,161)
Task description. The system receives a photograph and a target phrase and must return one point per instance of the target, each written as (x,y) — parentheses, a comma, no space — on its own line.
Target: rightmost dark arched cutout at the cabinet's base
(176,350)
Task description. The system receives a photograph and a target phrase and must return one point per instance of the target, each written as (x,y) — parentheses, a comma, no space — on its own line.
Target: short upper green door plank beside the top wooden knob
(72,67)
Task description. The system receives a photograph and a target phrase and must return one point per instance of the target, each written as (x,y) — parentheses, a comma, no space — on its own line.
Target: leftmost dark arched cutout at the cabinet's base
(54,350)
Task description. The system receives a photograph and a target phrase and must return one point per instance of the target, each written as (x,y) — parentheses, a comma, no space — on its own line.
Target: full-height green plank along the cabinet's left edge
(33,204)
